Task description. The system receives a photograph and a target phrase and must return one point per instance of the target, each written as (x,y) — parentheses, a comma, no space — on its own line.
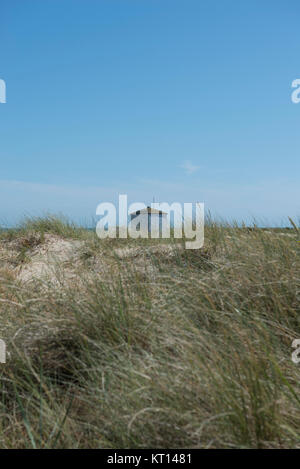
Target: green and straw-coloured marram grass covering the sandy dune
(190,350)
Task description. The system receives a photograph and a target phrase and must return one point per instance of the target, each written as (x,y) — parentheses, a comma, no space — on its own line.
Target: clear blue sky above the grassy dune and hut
(184,100)
